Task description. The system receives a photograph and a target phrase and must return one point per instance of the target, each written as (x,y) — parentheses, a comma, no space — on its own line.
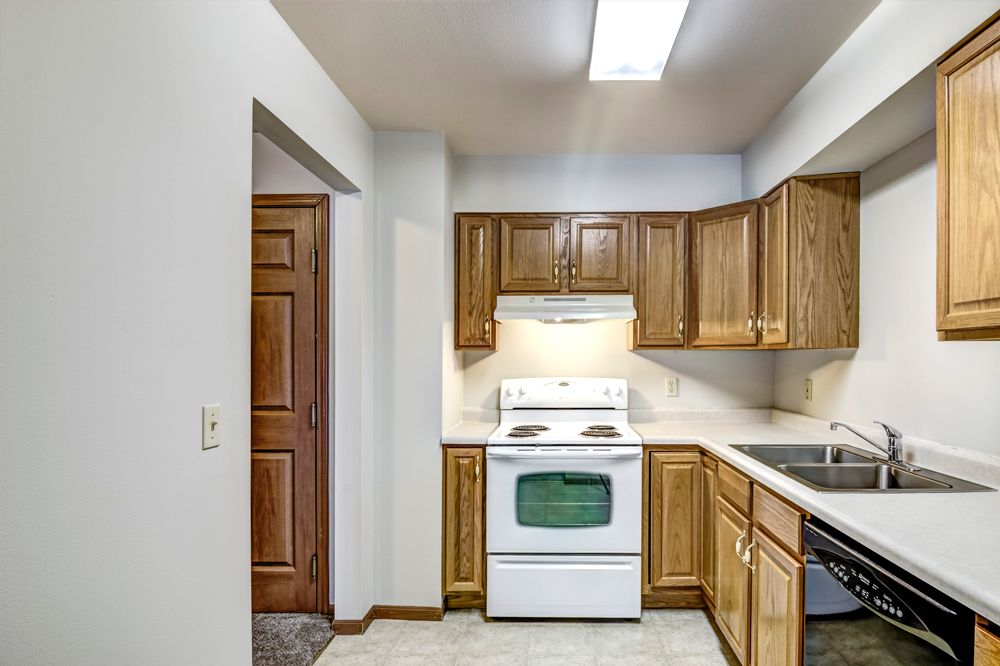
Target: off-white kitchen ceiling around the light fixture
(510,76)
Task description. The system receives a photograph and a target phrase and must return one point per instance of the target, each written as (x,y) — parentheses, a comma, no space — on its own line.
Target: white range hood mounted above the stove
(565,309)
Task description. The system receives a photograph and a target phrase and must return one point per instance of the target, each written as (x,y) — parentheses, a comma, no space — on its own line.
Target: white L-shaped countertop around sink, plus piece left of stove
(949,540)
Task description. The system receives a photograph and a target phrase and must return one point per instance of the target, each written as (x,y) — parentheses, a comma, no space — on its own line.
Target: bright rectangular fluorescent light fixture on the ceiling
(633,38)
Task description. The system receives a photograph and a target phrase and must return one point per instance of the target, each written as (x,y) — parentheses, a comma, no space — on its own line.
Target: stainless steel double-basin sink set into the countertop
(846,469)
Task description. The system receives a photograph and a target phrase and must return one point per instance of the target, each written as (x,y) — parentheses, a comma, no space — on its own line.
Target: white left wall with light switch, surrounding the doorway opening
(125,144)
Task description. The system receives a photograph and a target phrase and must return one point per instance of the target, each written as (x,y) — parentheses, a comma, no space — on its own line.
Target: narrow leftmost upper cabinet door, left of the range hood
(475,283)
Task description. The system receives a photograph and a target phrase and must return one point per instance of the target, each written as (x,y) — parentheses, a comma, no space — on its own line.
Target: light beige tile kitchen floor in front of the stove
(676,636)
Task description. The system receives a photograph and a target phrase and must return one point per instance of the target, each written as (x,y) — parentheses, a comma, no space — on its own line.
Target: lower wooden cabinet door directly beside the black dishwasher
(778,609)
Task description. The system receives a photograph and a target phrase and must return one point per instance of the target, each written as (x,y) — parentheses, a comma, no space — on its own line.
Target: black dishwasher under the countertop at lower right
(902,620)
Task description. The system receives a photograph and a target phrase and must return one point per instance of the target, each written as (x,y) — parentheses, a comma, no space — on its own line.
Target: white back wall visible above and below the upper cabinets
(606,183)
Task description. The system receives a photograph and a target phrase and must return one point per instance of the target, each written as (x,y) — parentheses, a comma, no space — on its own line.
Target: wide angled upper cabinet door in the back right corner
(724,276)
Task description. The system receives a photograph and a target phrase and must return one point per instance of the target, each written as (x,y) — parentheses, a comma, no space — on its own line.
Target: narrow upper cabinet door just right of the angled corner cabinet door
(772,320)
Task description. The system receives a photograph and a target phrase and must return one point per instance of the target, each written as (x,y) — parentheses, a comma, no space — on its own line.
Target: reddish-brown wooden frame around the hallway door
(321,205)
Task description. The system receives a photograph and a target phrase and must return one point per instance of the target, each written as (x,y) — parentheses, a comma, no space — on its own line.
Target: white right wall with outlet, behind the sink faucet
(940,391)
